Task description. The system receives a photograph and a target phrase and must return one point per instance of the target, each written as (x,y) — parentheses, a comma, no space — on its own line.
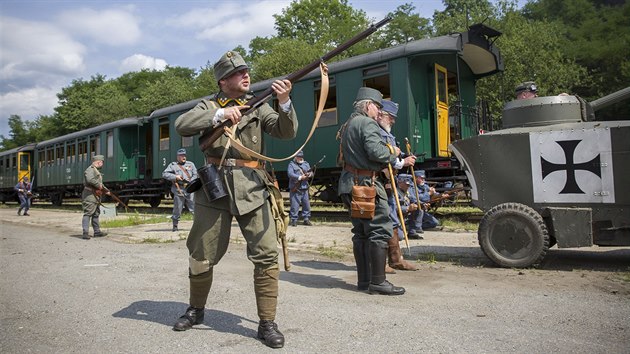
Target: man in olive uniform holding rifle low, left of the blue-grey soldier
(93,189)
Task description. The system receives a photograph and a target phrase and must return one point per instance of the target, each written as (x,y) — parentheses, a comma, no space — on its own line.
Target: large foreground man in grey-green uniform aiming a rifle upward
(249,192)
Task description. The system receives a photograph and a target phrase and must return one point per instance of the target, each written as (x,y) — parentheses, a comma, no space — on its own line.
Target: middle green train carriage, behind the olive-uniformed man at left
(60,162)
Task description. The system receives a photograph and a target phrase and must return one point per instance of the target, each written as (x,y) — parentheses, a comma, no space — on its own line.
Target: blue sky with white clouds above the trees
(46,44)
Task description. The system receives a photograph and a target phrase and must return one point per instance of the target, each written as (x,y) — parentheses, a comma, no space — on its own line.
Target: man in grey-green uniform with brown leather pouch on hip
(364,154)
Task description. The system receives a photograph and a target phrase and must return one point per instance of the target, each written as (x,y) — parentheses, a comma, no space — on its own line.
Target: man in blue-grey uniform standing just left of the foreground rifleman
(180,173)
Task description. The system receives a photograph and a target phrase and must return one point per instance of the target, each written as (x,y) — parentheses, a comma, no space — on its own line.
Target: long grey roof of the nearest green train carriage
(475,47)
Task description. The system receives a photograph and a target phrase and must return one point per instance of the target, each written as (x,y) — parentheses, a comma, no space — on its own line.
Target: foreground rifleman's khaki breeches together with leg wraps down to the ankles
(208,241)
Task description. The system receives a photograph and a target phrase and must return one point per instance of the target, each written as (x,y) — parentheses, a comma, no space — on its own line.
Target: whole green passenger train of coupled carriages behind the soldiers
(433,80)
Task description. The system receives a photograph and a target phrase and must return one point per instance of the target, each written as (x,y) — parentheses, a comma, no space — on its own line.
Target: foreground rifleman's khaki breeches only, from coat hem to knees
(210,236)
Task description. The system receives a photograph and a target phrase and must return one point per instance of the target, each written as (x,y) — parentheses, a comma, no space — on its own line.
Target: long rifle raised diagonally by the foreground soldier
(210,135)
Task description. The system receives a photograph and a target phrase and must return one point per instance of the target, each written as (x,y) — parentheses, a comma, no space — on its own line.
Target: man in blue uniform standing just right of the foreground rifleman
(299,172)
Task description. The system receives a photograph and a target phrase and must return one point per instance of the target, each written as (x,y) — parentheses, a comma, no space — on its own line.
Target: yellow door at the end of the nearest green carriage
(443,132)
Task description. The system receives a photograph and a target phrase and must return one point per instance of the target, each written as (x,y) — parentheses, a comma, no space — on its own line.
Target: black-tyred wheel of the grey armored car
(513,235)
